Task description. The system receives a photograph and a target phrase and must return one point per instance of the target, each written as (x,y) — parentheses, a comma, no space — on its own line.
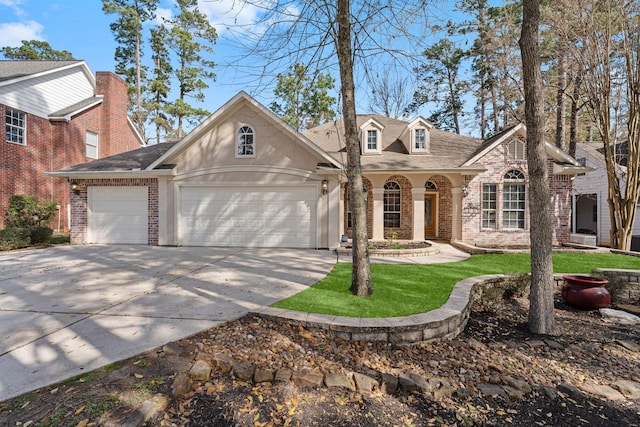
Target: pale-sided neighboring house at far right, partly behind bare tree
(590,193)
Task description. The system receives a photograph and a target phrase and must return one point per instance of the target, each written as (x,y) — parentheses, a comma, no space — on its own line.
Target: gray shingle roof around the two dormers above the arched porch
(447,150)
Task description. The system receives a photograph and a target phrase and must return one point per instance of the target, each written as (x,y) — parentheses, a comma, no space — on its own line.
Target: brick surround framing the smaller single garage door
(79,205)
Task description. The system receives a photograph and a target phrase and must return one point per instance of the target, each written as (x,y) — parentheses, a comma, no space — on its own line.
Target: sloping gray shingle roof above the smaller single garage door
(138,159)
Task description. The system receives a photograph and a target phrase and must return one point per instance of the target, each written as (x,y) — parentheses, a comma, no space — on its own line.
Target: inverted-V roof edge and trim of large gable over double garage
(210,122)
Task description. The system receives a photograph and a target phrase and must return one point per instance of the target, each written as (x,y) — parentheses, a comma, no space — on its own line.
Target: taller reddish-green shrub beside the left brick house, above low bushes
(26,211)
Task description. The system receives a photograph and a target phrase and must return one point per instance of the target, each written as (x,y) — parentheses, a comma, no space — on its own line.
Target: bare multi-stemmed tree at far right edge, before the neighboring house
(608,51)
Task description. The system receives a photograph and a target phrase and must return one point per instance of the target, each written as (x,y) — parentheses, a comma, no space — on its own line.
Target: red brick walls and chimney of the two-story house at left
(54,145)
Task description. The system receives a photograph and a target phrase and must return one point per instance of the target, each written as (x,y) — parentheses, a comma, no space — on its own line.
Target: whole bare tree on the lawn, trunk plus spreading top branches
(329,34)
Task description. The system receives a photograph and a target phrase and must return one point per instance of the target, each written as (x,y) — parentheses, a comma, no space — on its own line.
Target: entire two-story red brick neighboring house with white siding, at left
(56,114)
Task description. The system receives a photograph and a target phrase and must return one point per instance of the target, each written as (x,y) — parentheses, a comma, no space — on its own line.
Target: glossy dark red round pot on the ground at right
(585,292)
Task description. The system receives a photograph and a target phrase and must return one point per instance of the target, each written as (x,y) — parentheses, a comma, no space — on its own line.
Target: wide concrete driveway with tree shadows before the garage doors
(68,310)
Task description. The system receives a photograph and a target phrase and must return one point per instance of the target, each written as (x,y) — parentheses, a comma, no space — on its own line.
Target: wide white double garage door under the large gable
(254,216)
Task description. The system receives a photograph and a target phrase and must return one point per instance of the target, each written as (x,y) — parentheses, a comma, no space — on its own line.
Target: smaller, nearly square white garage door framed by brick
(118,215)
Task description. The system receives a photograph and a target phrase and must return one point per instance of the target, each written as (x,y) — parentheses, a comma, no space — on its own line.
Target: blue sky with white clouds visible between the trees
(81,27)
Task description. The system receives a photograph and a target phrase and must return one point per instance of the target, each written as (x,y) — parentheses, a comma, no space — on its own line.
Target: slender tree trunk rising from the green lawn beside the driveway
(361,275)
